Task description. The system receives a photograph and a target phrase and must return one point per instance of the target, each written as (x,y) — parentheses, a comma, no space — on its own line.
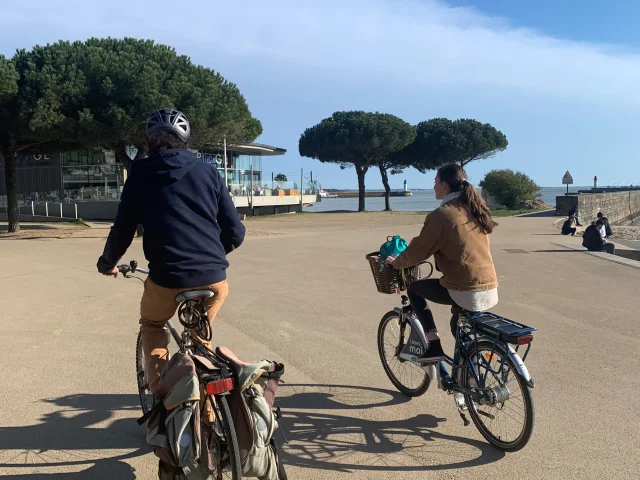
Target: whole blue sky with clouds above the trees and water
(560,79)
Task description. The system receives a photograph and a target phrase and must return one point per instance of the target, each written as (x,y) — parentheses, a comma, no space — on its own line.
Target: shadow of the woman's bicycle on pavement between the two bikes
(321,439)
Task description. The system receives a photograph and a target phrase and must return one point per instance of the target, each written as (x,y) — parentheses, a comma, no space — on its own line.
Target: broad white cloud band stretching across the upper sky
(412,41)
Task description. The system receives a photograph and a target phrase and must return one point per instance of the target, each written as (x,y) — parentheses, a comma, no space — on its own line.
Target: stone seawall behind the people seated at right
(618,207)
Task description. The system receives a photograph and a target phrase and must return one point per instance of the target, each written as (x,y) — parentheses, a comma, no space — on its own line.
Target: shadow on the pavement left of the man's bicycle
(87,430)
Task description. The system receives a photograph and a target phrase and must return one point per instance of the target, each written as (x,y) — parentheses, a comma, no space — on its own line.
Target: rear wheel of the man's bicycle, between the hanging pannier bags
(222,442)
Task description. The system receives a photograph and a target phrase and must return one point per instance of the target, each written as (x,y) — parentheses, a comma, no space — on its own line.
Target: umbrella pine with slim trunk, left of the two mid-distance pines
(359,139)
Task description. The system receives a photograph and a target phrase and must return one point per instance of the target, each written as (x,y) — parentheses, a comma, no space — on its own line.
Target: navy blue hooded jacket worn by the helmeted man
(189,219)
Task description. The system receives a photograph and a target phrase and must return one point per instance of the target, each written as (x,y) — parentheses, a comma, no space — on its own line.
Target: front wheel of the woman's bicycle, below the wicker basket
(406,376)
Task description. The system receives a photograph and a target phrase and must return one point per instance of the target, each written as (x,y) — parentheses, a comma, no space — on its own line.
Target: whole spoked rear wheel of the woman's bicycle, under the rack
(507,425)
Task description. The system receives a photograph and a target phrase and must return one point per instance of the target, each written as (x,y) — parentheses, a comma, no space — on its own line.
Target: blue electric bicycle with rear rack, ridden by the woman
(486,376)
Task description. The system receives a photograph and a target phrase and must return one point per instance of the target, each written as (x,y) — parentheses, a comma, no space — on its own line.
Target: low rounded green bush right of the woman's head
(510,188)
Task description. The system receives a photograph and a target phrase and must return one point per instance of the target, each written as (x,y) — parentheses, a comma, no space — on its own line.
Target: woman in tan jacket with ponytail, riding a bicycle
(457,235)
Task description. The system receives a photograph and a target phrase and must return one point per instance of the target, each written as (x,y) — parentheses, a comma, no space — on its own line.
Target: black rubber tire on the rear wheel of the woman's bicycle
(525,435)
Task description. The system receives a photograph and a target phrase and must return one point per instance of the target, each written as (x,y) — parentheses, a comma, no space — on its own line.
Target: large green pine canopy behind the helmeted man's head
(100,92)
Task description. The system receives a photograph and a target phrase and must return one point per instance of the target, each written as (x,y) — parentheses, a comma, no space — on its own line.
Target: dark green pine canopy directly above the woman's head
(440,141)
